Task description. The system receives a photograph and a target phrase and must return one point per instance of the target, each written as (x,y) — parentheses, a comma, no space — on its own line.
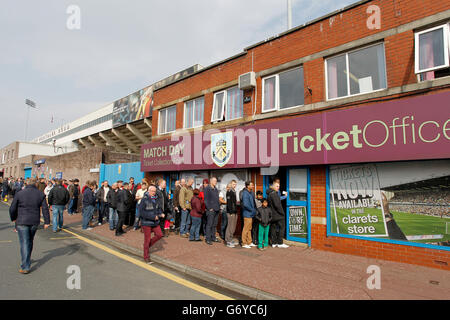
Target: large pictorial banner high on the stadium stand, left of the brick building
(134,107)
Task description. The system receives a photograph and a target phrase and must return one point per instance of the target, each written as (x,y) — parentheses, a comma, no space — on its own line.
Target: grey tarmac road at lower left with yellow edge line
(103,274)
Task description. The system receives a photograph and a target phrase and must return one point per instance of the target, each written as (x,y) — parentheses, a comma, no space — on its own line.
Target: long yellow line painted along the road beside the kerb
(162,273)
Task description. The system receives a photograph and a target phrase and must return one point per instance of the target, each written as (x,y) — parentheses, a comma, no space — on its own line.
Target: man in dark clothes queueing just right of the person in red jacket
(212,205)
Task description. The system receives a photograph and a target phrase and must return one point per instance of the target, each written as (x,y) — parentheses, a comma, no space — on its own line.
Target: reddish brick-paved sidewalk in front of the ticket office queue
(292,273)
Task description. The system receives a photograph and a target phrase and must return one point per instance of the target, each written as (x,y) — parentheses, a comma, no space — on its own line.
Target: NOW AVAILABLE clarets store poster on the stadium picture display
(356,201)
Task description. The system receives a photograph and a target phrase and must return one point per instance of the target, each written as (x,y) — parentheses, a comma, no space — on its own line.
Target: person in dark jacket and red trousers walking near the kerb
(150,213)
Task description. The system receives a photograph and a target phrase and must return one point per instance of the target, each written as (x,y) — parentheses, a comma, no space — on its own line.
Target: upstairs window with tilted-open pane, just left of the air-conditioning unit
(228,104)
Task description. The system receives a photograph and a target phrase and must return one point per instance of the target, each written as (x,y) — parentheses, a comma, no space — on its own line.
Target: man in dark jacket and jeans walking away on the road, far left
(25,211)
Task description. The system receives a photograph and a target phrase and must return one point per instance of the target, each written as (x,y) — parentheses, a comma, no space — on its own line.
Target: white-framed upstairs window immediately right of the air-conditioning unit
(283,90)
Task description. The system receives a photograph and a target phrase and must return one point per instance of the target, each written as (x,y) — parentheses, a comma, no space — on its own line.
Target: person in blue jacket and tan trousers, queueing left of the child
(248,206)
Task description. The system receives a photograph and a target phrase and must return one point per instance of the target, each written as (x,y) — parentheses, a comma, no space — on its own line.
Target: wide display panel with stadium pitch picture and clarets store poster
(407,201)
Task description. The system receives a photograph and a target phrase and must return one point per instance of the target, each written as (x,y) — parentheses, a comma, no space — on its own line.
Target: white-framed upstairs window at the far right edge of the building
(432,52)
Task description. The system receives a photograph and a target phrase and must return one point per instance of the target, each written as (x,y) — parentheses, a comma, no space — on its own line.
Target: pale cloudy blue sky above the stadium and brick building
(122,46)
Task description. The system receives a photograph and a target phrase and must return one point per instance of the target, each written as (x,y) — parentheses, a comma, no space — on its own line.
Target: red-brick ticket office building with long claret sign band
(360,134)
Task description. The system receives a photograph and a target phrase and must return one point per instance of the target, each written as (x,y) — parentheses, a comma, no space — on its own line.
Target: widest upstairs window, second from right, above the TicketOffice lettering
(356,72)
